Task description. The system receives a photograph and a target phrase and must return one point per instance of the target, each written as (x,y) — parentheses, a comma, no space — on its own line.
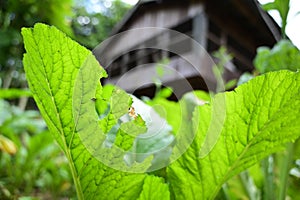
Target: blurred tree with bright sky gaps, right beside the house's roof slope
(95,19)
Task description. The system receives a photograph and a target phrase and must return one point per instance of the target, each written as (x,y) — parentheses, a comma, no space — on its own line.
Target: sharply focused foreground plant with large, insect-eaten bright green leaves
(223,135)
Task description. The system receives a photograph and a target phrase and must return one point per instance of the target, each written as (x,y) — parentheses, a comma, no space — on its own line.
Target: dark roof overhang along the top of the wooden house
(235,12)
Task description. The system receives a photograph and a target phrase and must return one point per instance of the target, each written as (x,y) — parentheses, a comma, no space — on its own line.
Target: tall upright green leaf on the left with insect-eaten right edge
(53,65)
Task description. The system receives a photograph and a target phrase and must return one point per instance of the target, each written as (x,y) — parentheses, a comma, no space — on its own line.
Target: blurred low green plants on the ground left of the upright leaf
(31,163)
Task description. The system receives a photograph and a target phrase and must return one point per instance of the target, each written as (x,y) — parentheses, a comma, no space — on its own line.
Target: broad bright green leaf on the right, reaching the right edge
(261,116)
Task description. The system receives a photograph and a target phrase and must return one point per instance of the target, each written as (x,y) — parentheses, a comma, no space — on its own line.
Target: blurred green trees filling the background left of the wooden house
(88,22)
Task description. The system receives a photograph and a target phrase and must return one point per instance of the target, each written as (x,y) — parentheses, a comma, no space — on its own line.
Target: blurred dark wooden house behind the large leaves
(130,58)
